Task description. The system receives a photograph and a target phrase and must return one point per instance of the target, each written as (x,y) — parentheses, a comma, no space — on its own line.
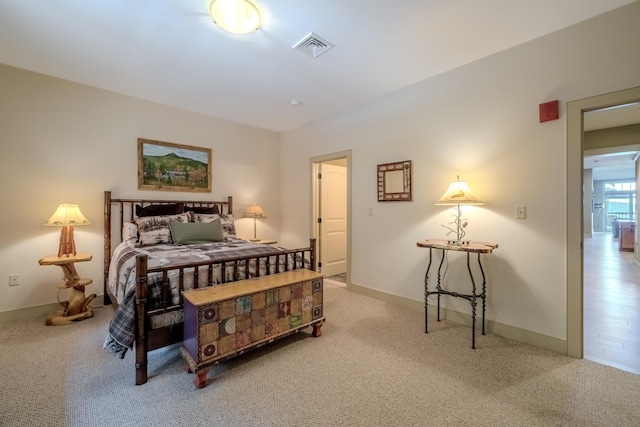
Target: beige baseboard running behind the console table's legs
(511,332)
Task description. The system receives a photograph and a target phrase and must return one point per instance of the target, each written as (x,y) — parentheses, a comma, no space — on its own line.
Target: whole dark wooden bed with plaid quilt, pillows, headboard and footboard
(145,270)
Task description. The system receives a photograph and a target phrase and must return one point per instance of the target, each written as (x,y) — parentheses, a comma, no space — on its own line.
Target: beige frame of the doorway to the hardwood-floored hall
(575,229)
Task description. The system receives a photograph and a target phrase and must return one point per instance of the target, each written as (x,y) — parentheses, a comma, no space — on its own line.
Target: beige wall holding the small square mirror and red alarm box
(479,121)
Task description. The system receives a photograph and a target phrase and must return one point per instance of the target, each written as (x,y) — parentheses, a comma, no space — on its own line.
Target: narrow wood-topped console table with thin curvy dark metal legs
(469,248)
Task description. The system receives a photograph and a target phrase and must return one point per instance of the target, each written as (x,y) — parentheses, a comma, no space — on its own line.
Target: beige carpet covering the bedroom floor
(373,366)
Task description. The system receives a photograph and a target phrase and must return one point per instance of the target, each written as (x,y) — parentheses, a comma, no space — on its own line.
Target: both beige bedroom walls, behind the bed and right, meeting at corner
(62,141)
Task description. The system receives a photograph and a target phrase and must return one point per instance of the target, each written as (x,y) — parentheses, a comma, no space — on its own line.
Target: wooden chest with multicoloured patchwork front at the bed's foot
(226,320)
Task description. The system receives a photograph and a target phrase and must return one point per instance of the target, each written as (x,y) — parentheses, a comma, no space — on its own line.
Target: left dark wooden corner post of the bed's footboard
(140,319)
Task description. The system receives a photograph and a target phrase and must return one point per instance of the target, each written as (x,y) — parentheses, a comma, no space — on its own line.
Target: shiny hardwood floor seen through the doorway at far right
(611,304)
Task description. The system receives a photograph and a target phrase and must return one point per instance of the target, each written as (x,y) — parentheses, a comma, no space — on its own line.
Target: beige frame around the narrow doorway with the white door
(315,197)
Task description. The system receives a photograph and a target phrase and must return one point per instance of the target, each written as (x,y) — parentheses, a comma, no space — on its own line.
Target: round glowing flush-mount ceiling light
(235,16)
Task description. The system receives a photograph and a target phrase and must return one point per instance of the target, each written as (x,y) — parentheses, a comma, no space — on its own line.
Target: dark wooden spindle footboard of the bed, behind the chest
(148,338)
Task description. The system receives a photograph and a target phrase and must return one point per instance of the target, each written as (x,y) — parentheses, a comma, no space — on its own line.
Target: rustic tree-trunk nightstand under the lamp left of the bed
(77,306)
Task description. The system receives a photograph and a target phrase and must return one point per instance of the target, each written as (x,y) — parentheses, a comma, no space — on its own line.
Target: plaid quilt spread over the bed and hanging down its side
(122,278)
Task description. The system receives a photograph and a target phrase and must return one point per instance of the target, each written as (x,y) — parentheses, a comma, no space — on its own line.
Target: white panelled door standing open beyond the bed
(333,219)
